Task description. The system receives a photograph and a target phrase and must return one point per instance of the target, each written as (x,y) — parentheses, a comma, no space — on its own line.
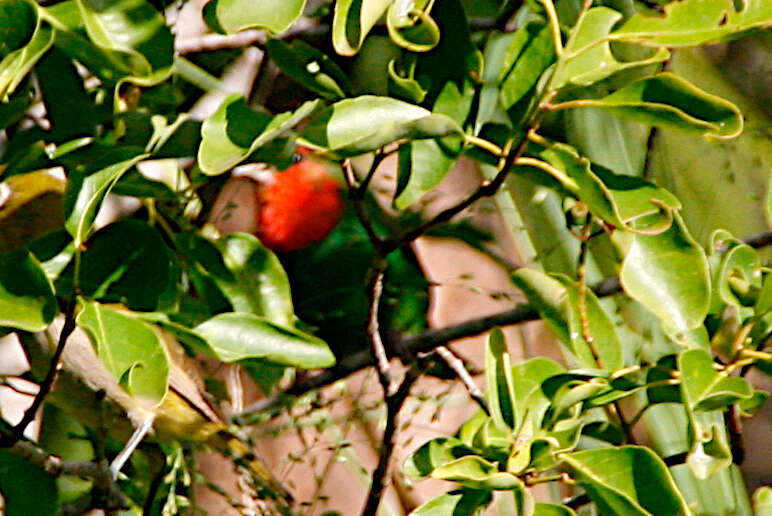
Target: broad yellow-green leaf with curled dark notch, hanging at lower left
(131,350)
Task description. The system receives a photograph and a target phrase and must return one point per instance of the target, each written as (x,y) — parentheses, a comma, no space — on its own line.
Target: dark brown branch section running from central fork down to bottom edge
(394,402)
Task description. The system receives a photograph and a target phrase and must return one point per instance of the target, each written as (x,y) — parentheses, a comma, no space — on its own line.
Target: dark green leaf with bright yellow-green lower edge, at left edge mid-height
(27,299)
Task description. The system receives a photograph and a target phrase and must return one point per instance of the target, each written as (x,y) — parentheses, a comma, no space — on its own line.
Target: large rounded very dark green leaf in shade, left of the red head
(126,262)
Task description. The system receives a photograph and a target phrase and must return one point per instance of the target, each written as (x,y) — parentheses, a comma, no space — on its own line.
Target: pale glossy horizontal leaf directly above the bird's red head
(367,123)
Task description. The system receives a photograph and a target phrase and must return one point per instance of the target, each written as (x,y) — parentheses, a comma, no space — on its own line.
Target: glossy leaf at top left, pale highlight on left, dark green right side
(131,27)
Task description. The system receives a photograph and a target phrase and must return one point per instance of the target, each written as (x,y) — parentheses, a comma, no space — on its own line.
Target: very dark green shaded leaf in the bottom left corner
(27,489)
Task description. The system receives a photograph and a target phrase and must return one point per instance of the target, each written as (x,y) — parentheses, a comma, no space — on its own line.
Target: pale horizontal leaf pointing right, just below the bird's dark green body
(237,336)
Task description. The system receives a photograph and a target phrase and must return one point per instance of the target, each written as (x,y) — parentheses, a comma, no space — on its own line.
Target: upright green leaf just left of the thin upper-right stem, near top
(530,53)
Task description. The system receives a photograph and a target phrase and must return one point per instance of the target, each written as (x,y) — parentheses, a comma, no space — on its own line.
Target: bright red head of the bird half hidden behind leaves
(300,207)
